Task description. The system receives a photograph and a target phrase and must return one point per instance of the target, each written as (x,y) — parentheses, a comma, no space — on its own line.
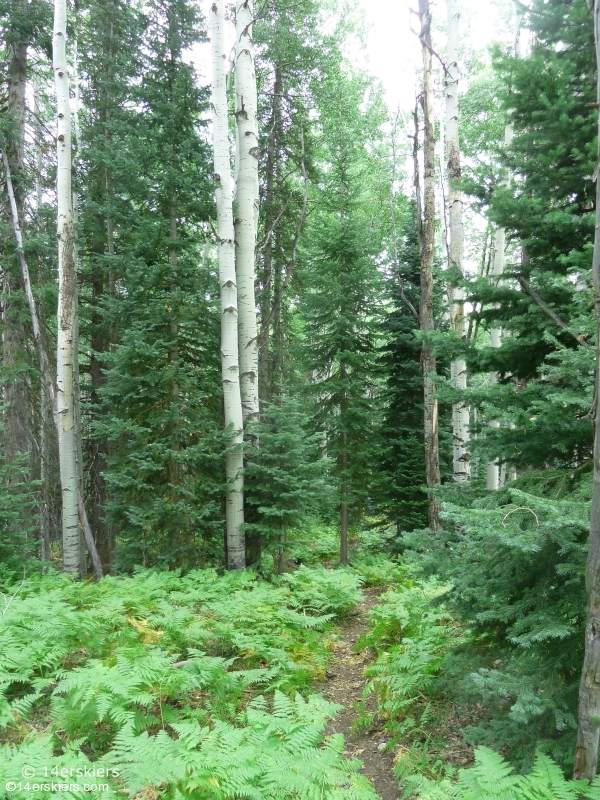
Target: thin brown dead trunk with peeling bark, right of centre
(426,221)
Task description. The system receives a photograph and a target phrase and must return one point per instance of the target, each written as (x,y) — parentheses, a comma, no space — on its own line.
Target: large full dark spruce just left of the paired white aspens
(161,409)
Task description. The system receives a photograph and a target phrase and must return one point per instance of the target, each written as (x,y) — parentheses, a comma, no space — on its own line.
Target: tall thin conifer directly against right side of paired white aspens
(292,58)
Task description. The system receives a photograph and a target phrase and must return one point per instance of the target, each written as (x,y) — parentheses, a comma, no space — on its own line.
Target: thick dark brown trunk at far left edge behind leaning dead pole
(15,400)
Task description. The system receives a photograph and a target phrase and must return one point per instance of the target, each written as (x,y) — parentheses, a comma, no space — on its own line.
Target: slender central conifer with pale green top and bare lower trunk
(344,284)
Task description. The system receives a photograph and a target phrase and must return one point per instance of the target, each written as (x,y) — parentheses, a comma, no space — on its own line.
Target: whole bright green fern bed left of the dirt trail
(187,686)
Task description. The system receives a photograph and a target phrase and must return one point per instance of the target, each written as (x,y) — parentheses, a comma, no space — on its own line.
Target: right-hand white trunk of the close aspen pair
(247,199)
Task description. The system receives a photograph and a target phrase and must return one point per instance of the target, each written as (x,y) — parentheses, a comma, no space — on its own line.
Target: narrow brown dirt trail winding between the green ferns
(345,686)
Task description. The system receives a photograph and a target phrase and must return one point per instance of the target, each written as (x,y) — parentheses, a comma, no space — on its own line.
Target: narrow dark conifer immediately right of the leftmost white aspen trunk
(109,38)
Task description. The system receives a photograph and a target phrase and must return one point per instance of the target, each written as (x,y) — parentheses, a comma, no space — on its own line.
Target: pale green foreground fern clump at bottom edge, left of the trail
(269,755)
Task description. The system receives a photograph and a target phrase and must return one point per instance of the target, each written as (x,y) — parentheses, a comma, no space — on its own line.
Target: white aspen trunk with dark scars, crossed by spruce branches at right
(458,369)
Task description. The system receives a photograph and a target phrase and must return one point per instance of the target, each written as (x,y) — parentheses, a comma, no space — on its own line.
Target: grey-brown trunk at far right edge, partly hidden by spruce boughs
(588,731)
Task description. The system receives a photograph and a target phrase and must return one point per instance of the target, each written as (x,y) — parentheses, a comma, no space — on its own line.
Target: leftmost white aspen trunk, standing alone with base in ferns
(67,297)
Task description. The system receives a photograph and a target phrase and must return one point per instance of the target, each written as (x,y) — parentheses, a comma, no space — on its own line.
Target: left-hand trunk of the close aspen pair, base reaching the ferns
(236,556)
